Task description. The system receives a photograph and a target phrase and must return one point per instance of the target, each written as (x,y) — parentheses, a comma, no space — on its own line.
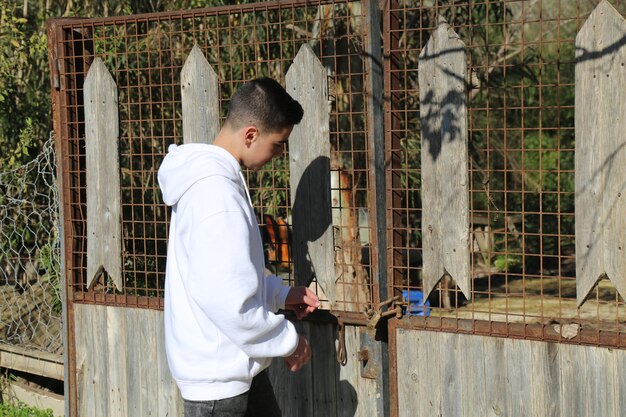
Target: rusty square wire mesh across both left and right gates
(521,60)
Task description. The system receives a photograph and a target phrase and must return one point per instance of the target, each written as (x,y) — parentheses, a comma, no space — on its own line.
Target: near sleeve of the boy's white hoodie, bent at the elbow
(224,284)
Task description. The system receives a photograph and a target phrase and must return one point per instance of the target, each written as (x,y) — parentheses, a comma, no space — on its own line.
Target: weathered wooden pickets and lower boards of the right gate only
(473,375)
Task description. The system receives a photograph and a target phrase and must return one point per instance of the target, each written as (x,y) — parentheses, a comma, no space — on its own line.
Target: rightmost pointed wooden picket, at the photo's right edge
(600,151)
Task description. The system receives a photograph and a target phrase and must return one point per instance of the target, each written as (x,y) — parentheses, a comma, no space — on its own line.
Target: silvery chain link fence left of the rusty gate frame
(30,255)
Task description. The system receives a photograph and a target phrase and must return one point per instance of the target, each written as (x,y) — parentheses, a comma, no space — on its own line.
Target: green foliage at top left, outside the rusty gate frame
(25,108)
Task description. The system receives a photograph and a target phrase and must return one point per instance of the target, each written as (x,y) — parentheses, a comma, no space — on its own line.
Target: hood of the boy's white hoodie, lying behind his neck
(187,164)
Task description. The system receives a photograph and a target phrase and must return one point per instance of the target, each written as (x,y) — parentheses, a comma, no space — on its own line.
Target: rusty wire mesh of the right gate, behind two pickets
(521,60)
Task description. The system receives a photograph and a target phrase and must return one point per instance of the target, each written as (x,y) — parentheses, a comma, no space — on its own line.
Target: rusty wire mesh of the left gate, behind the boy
(145,54)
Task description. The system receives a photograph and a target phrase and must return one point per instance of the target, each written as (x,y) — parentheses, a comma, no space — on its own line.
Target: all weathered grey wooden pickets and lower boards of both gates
(429,372)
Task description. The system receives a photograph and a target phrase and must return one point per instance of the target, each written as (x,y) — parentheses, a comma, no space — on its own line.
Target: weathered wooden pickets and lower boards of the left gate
(107,338)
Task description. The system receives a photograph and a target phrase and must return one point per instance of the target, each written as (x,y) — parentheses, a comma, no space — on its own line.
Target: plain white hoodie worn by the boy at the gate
(219,327)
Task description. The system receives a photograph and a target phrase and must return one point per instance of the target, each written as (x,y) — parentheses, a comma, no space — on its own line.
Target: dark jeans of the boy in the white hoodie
(260,401)
